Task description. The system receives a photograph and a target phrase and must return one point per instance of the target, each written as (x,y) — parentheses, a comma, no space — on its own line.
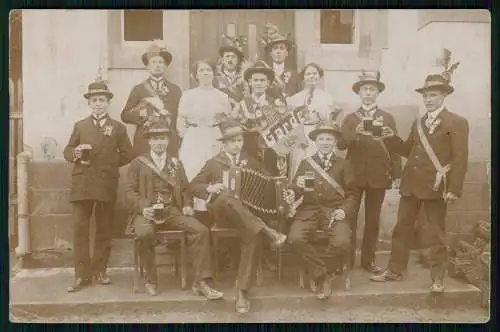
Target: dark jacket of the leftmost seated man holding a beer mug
(139,186)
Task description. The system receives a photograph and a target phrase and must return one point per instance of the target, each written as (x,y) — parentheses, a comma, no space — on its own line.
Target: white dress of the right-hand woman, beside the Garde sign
(322,103)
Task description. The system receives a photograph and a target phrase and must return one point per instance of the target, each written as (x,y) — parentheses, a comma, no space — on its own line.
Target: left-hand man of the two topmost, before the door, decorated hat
(229,77)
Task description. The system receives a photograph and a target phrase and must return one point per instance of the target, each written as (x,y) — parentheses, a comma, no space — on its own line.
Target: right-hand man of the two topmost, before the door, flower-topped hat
(286,82)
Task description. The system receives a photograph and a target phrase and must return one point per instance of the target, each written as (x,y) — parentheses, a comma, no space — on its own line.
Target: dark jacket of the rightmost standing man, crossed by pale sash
(450,142)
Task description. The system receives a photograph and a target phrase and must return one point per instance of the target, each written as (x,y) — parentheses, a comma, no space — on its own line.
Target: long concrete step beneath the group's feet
(42,292)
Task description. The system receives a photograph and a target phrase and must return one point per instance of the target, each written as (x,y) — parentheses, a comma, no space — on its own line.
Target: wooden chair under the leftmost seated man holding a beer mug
(177,249)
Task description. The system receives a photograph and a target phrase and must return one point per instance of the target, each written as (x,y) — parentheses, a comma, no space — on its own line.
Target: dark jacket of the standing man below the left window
(130,114)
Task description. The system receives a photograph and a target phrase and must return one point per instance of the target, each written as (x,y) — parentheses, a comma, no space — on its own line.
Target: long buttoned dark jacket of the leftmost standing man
(99,180)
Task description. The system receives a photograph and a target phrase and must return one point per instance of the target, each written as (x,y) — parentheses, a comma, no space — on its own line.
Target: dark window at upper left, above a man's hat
(142,25)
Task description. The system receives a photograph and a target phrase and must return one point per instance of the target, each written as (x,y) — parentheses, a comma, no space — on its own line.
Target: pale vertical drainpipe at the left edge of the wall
(23,247)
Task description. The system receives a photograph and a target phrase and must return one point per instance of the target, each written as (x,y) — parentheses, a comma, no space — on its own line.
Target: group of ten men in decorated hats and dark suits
(159,195)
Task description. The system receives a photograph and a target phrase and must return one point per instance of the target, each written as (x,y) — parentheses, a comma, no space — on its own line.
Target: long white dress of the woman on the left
(195,124)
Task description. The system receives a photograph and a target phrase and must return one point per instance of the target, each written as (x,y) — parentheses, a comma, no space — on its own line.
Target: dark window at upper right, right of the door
(337,27)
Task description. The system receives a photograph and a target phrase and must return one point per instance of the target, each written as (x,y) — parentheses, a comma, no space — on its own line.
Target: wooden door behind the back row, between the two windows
(207,27)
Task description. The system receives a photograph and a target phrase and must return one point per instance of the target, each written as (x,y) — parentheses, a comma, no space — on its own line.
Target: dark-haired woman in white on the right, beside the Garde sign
(319,105)
